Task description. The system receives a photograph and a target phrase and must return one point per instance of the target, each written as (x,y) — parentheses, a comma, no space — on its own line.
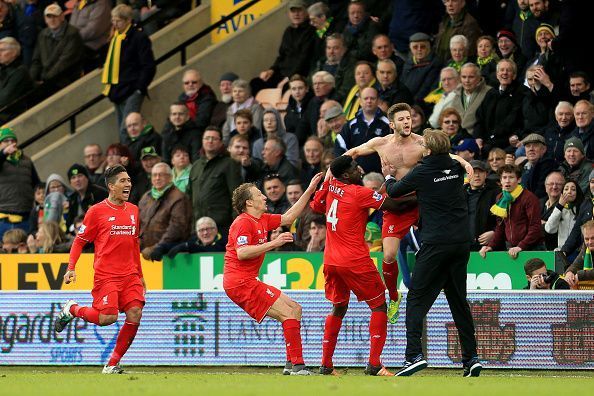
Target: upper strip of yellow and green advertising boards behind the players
(286,271)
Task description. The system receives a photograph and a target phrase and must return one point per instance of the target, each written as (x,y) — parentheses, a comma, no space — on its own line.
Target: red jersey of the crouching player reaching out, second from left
(246,230)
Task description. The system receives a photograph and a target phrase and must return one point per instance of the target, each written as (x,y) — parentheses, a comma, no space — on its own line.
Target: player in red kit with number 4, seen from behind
(347,264)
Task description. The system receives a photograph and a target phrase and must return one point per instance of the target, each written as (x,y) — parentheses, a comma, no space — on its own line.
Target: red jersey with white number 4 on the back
(347,208)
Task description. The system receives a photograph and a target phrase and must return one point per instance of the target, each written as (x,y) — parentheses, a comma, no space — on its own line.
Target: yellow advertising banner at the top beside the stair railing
(221,8)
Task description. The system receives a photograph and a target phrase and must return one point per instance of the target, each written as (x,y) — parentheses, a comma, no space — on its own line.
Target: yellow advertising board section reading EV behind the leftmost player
(46,272)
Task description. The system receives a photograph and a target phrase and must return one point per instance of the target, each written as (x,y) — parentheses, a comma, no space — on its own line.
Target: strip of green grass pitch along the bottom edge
(223,381)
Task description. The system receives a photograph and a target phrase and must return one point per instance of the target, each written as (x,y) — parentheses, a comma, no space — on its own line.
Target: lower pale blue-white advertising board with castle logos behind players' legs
(515,329)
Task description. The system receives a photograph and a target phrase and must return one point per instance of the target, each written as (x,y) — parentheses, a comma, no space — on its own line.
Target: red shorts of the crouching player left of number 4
(254,297)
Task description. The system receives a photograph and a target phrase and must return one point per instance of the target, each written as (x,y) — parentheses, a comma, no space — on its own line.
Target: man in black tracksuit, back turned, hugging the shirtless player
(441,263)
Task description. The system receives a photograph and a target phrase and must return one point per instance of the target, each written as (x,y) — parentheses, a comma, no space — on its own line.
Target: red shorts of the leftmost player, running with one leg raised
(118,295)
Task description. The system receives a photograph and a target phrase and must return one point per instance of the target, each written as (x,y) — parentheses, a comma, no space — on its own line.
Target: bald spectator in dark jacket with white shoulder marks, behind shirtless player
(369,123)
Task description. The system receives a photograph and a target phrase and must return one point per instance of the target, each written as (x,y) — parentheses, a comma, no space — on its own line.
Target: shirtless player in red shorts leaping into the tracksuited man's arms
(401,150)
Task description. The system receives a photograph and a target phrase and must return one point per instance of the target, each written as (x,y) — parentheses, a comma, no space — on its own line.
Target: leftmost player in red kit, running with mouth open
(112,225)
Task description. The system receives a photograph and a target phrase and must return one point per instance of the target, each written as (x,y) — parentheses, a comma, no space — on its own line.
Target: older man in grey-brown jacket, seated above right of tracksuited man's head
(469,96)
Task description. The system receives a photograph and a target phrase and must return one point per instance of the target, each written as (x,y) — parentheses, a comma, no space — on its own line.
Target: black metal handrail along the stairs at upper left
(181,49)
